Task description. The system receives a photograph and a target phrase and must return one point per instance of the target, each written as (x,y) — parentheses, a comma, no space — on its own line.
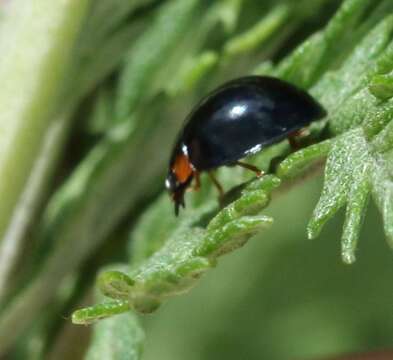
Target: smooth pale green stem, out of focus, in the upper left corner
(36,44)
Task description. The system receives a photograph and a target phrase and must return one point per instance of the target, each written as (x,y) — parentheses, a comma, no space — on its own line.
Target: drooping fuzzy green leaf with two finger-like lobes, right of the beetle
(346,183)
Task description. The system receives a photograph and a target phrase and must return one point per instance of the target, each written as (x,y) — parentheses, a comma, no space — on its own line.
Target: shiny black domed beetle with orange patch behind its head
(239,118)
